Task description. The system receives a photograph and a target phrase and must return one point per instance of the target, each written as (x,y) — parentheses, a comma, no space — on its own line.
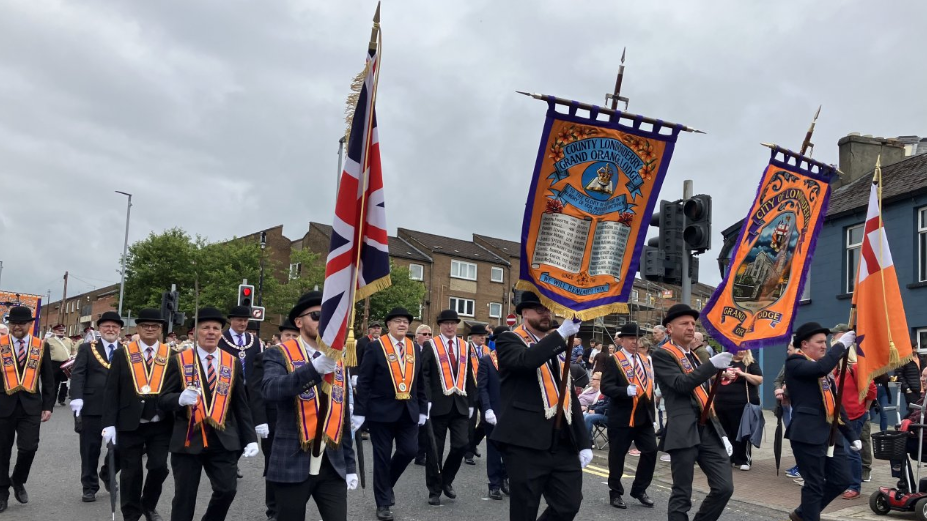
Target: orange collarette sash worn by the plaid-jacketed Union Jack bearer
(307,402)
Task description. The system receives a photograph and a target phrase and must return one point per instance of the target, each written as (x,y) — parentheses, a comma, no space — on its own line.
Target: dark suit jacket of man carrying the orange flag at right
(809,417)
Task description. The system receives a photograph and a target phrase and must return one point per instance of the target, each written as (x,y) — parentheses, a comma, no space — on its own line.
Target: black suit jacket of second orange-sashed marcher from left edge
(122,406)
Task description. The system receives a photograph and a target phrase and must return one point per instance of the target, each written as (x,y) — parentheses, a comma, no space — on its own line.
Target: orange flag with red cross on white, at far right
(882,330)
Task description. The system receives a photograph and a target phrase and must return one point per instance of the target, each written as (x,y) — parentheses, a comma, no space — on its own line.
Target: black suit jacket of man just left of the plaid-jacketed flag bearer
(239,428)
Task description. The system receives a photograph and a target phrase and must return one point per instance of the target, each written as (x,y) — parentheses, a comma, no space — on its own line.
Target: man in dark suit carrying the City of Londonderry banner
(684,383)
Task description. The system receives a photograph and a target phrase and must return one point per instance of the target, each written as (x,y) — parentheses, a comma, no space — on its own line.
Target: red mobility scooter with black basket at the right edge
(898,446)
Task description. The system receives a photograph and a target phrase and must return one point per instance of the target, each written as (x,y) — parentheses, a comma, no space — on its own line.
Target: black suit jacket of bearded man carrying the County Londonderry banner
(524,423)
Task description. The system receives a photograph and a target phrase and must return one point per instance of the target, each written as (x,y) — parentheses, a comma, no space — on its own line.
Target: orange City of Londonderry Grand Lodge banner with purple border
(756,303)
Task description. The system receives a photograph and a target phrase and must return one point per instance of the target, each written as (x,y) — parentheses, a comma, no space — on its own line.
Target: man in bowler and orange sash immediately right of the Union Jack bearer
(392,404)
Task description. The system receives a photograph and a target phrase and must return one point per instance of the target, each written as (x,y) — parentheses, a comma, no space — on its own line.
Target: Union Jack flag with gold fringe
(350,229)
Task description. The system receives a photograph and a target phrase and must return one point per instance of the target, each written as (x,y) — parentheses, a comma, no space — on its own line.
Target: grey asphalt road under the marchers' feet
(55,492)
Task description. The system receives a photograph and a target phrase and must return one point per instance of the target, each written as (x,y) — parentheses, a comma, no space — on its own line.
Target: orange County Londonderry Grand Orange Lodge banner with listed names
(591,197)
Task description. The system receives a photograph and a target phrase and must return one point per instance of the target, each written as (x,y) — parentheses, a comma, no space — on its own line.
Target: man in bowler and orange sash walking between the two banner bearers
(628,381)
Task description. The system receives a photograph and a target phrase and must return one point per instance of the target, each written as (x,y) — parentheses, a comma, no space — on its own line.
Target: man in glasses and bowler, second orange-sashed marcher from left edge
(132,418)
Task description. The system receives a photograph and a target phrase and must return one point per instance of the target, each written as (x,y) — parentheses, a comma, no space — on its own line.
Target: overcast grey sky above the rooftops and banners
(222,117)
